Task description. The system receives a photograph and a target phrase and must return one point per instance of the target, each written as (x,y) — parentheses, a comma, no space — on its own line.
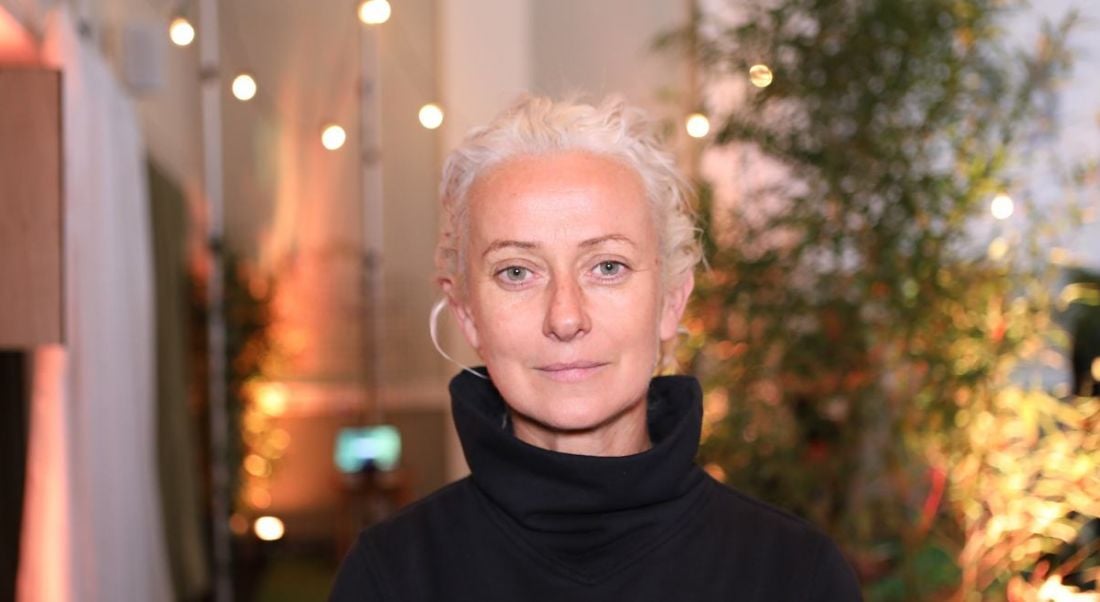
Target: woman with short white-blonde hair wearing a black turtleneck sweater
(567,255)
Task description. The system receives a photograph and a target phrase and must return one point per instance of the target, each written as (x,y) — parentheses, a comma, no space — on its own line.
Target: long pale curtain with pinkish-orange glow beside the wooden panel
(93,530)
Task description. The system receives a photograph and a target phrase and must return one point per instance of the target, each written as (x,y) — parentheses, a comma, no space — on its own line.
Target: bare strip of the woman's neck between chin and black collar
(623,435)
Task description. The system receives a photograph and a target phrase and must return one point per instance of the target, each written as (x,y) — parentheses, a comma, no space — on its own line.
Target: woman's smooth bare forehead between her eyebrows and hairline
(559,198)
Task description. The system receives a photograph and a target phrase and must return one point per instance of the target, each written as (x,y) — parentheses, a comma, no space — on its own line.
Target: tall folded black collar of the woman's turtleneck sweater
(589,516)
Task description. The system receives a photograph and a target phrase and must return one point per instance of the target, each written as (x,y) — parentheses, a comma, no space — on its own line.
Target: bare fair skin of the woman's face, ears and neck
(564,299)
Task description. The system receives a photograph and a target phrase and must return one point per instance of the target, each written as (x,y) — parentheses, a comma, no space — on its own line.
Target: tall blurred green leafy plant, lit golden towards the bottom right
(849,333)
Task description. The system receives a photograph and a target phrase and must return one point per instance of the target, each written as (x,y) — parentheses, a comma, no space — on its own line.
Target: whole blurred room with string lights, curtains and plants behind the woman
(216,273)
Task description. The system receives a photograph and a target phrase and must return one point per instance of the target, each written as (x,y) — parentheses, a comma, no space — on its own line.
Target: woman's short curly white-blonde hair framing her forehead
(534,126)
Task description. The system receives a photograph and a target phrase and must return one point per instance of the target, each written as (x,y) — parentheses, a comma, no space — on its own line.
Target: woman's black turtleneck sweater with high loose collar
(535,526)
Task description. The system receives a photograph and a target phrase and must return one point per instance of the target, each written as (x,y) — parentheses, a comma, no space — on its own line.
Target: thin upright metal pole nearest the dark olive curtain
(211,80)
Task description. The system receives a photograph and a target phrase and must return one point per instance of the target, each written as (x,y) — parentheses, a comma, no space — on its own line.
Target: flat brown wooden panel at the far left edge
(30,209)
